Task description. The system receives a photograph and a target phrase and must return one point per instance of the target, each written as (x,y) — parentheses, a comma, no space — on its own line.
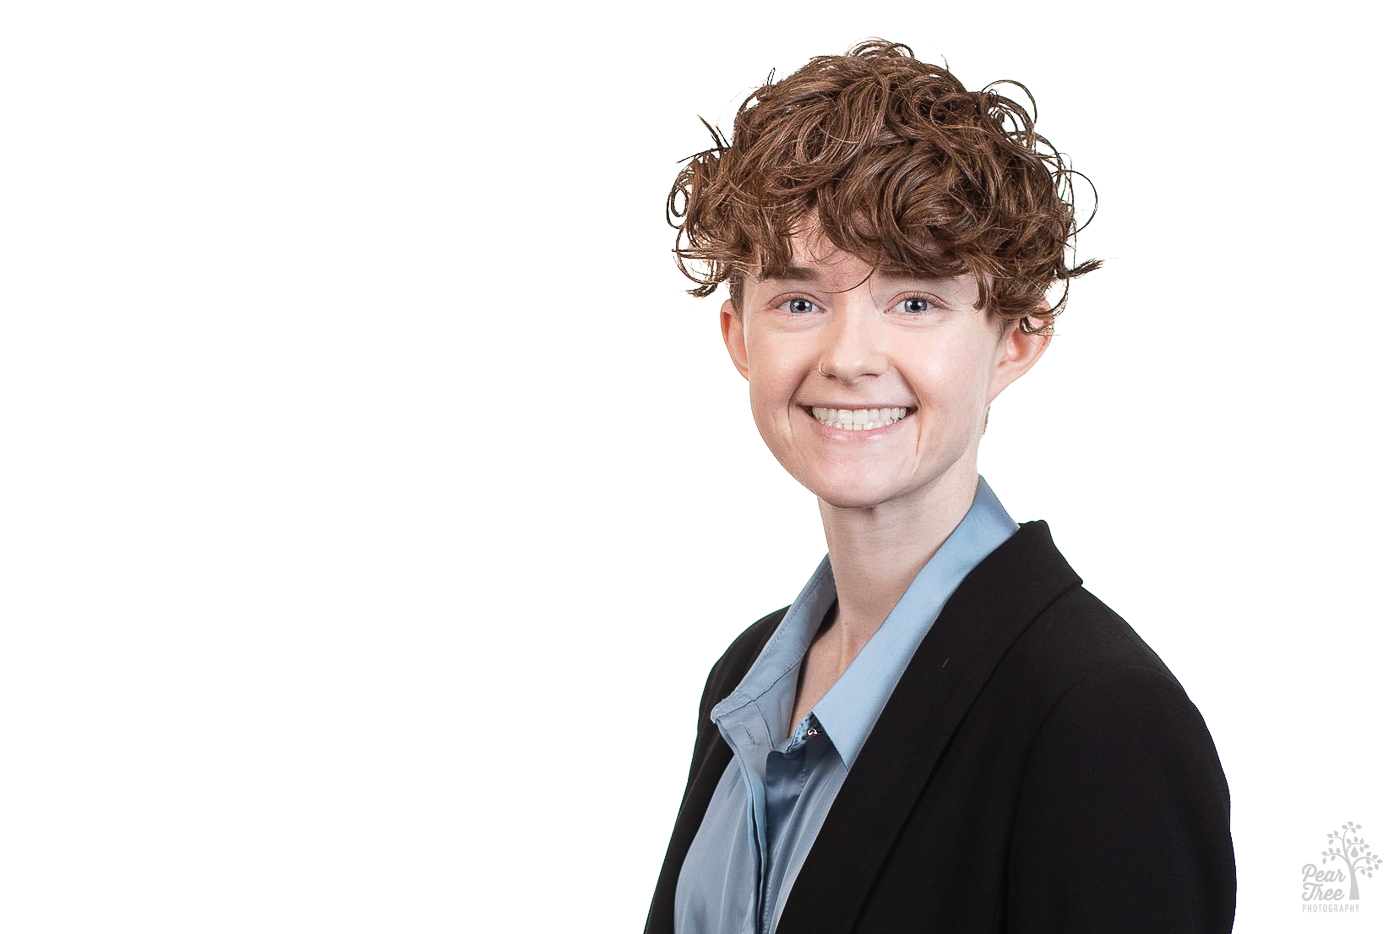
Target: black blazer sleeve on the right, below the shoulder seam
(1123,817)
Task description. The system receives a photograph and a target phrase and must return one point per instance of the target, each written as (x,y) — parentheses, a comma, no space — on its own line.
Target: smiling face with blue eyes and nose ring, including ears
(871,390)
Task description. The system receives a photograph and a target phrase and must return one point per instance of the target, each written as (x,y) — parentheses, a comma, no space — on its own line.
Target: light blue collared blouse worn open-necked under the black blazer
(776,792)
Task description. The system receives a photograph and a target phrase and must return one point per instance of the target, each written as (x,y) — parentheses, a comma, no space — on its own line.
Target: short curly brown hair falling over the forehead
(901,166)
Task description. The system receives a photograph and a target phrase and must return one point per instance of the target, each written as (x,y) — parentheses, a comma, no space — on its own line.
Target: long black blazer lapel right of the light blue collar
(982,620)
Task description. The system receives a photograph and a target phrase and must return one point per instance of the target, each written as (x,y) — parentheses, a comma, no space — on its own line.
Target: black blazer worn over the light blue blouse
(1037,769)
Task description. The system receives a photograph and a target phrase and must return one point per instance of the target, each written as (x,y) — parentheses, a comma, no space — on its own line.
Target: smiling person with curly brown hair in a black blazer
(946,732)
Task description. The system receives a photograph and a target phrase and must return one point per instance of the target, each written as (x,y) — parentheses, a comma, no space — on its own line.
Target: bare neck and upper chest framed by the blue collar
(878,552)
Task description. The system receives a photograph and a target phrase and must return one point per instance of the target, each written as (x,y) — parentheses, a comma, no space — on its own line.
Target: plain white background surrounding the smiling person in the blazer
(373,502)
